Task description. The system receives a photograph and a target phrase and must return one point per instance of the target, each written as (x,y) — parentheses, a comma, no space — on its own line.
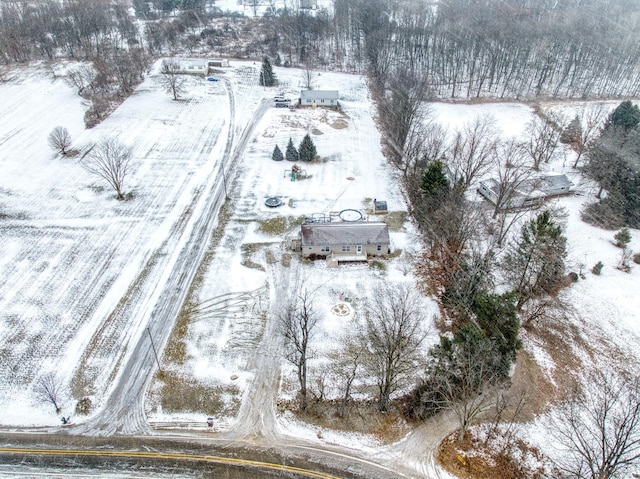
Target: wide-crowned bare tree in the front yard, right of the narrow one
(394,330)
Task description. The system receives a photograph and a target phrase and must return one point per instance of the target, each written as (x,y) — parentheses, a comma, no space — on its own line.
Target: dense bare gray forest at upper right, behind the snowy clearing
(508,49)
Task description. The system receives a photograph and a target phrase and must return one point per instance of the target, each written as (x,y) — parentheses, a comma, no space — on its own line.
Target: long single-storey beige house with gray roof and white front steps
(344,240)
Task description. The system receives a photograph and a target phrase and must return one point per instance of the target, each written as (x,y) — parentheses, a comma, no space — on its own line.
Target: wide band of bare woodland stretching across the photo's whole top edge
(501,49)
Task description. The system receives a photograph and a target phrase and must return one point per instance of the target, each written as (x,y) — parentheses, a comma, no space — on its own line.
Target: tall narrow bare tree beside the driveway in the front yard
(297,321)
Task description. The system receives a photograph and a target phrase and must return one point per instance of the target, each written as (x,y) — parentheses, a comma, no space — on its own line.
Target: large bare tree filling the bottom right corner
(598,428)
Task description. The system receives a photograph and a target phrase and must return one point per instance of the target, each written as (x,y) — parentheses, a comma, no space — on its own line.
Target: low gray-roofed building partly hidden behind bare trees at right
(530,192)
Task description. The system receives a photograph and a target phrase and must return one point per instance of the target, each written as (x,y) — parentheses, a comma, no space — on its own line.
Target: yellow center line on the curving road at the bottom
(160,455)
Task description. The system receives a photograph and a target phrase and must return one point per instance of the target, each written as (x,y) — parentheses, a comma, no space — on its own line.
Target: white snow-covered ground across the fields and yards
(73,258)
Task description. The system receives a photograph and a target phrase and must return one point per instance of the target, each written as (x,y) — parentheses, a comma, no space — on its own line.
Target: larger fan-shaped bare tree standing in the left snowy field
(110,160)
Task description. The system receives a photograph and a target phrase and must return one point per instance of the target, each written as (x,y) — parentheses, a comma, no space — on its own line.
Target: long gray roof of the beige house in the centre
(344,233)
